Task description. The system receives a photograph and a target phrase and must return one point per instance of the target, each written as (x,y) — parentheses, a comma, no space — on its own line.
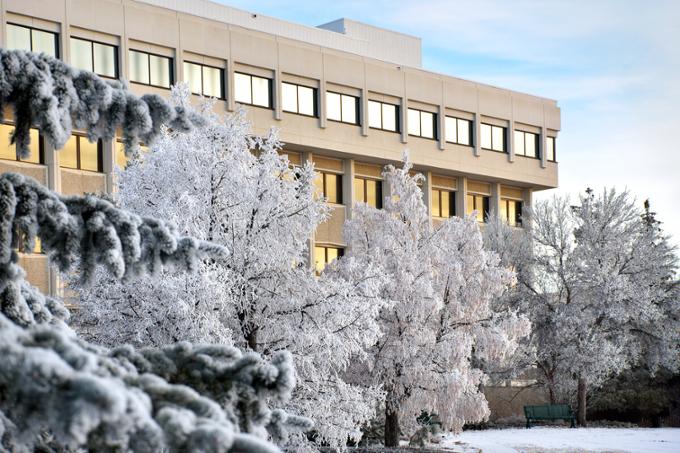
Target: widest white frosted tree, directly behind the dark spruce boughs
(222,184)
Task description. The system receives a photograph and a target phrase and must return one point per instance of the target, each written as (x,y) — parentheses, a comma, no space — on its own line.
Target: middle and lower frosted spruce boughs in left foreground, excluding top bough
(60,393)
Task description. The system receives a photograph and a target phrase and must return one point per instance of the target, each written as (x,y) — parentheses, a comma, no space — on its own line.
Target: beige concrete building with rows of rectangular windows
(347,96)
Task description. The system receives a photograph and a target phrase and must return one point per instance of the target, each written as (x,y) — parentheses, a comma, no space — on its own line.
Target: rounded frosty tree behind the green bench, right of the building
(597,281)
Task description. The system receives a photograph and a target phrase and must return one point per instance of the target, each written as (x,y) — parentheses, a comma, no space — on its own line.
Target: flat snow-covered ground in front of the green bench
(566,440)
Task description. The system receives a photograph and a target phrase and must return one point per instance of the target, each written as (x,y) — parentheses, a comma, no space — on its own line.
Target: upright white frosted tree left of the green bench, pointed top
(437,318)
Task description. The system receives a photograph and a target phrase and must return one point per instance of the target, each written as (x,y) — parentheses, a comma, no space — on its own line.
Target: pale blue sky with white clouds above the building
(612,65)
